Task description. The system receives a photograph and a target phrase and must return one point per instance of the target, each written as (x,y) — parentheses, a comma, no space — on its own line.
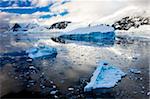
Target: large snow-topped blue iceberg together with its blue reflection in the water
(96,35)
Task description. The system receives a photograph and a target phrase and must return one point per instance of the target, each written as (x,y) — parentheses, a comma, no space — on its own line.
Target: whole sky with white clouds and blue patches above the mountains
(47,12)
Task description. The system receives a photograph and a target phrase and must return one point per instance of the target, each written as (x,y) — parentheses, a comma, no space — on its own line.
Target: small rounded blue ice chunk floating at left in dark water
(42,52)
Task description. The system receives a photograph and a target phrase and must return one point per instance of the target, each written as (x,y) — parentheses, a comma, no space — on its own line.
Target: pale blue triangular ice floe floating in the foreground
(105,76)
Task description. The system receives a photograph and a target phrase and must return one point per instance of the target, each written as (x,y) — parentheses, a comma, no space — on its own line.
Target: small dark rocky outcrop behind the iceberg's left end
(60,25)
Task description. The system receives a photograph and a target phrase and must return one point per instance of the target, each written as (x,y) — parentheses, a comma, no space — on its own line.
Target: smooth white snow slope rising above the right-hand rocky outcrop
(127,11)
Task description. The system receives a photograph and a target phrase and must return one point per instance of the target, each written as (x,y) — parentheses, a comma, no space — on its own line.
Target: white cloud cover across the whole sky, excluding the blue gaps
(79,11)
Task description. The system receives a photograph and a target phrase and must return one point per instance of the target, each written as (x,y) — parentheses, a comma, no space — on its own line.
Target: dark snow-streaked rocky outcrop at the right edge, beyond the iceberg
(127,22)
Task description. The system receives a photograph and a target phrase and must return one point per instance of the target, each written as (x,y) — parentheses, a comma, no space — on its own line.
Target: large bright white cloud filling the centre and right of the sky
(91,10)
